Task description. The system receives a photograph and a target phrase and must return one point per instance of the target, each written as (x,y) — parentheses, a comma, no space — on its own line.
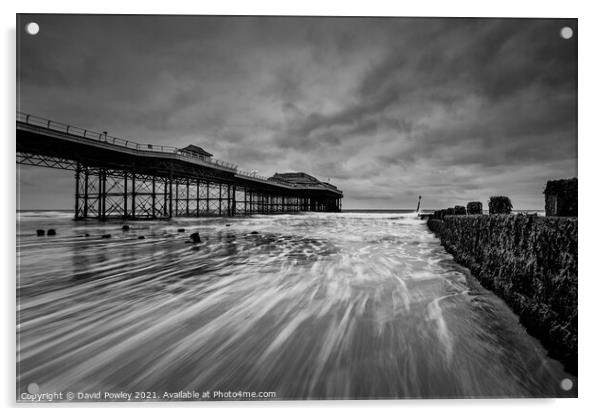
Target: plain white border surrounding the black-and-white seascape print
(590,114)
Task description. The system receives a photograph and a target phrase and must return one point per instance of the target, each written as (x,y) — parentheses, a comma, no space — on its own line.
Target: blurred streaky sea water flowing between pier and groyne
(352,305)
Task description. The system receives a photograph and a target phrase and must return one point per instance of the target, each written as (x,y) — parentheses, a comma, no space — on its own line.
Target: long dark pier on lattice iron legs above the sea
(122,179)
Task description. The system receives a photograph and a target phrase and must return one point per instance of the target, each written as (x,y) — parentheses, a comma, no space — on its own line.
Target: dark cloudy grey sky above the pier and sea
(388,109)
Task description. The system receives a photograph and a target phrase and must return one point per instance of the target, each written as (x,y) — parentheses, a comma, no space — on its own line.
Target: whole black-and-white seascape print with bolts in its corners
(284,208)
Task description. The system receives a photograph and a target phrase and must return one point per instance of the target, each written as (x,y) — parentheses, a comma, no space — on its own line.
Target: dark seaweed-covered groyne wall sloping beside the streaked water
(530,262)
